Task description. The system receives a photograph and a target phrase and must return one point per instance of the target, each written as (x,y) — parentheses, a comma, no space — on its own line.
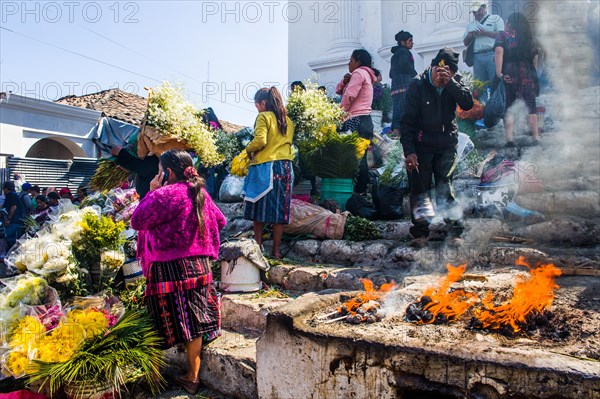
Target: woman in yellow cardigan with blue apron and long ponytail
(268,186)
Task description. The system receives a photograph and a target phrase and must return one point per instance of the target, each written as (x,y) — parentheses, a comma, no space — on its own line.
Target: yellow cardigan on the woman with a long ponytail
(268,144)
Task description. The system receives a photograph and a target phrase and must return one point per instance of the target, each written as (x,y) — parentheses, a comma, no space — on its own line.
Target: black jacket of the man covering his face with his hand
(427,124)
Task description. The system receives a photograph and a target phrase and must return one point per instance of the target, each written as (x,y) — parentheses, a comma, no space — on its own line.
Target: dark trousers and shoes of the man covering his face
(438,166)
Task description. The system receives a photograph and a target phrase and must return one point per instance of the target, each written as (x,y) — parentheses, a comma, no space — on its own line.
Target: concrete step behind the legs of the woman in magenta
(228,365)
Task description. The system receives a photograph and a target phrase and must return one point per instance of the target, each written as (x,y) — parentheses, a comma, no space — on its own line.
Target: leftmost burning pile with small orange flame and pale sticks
(364,307)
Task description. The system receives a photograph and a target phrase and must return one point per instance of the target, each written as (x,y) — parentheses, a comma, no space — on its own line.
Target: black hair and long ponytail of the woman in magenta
(178,161)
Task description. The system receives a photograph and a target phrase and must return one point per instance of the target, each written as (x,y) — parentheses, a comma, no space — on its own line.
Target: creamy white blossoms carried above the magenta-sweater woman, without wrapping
(174,116)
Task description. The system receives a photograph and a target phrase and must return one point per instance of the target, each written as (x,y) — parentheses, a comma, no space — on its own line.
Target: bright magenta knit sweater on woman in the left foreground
(168,225)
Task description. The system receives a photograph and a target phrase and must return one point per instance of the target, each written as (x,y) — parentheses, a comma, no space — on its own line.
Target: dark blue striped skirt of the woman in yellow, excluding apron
(275,206)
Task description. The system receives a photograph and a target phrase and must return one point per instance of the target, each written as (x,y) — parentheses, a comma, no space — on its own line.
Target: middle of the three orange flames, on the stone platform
(450,303)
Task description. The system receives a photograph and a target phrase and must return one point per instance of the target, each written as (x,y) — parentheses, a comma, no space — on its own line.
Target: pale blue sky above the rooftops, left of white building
(245,44)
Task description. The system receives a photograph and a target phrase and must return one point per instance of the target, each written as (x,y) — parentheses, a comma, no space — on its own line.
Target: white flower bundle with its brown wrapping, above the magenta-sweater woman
(172,122)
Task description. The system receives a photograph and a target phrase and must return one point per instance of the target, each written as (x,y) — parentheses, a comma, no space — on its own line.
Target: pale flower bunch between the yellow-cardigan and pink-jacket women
(311,110)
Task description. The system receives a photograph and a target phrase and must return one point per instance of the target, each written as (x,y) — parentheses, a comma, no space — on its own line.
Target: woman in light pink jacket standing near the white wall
(356,90)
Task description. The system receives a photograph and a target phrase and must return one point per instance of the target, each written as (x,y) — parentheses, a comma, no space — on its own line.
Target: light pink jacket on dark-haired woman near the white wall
(358,93)
